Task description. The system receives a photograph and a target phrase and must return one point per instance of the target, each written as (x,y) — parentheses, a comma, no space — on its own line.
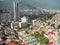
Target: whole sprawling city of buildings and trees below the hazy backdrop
(32,27)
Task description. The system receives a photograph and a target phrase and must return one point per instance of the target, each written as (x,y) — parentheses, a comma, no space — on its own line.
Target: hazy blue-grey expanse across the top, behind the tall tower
(47,4)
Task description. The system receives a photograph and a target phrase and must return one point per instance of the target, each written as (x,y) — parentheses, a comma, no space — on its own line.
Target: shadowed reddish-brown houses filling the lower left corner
(7,36)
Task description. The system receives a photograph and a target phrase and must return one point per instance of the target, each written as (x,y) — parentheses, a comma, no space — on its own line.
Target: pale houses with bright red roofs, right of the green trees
(52,35)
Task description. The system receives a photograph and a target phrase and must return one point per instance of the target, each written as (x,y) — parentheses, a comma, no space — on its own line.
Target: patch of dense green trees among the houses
(40,37)
